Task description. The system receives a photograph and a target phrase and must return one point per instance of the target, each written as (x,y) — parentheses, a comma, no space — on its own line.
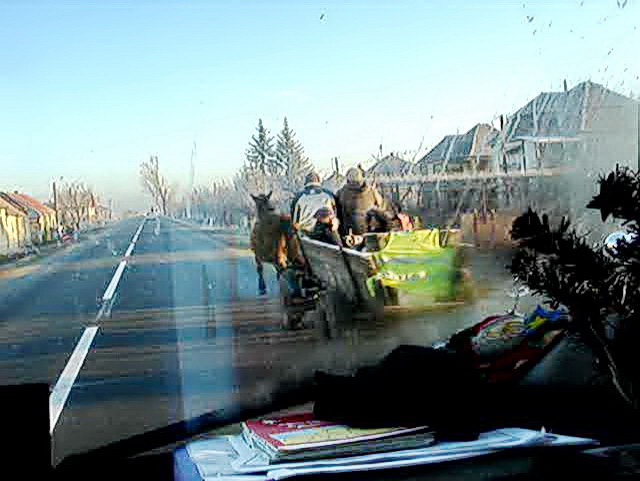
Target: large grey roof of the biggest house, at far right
(562,114)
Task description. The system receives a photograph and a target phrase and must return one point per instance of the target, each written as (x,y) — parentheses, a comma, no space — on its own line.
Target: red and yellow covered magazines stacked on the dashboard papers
(302,431)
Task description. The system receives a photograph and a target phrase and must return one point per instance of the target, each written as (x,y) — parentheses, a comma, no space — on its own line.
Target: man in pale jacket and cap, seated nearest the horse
(308,201)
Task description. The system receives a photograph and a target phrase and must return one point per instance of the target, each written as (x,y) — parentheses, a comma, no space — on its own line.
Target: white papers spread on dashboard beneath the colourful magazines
(230,458)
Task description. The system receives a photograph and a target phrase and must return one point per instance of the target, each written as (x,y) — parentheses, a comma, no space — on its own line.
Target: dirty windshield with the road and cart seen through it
(204,203)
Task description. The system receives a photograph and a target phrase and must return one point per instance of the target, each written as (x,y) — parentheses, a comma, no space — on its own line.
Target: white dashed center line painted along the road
(65,382)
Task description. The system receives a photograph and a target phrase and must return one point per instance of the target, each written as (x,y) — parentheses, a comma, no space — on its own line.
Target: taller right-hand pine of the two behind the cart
(290,158)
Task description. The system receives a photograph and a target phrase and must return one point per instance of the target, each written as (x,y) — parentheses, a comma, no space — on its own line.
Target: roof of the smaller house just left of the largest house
(455,149)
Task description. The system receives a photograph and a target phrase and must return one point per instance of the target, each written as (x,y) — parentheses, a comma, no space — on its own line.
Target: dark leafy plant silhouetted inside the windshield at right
(600,290)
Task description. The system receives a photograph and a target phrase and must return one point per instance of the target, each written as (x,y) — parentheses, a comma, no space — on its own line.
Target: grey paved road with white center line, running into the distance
(175,332)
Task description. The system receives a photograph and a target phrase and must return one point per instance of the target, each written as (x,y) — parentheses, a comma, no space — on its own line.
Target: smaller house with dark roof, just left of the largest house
(460,153)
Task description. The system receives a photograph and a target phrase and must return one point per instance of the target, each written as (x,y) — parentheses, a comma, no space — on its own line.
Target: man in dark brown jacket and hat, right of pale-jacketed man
(357,198)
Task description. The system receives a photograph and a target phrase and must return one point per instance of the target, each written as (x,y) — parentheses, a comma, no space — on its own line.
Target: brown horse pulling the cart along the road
(273,240)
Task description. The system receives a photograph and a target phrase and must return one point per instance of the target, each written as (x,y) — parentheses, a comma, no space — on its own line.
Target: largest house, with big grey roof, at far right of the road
(557,129)
